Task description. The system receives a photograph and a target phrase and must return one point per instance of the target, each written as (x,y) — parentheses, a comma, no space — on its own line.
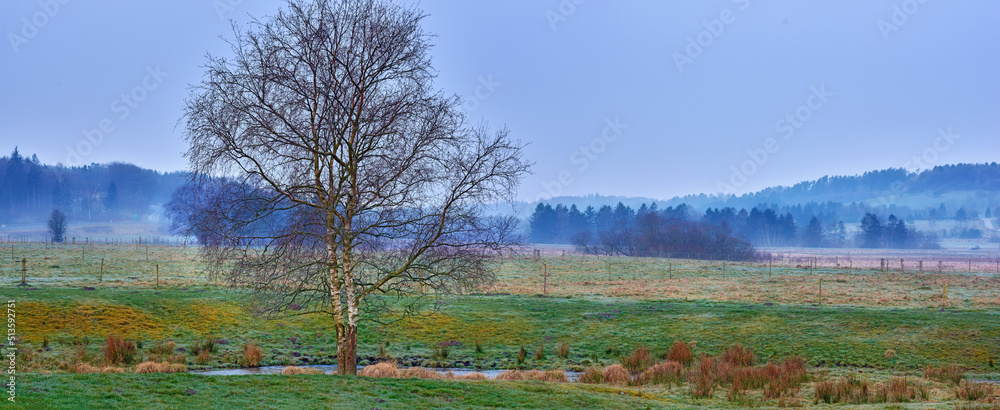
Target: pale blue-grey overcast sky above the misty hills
(639,98)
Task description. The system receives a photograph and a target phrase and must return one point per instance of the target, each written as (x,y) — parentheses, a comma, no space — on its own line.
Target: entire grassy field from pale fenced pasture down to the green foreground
(878,324)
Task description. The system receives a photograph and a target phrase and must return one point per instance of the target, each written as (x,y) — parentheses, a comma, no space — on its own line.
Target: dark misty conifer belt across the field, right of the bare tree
(650,231)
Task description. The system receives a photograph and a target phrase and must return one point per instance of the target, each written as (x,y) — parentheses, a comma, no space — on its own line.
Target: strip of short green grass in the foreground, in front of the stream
(51,391)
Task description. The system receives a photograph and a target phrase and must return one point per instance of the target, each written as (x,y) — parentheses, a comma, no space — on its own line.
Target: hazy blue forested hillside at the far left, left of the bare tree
(30,190)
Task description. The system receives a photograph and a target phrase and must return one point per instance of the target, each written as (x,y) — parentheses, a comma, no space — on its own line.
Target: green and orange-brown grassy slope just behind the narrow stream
(597,330)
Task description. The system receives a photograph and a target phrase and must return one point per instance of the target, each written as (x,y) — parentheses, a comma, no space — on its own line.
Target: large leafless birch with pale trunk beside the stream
(347,182)
